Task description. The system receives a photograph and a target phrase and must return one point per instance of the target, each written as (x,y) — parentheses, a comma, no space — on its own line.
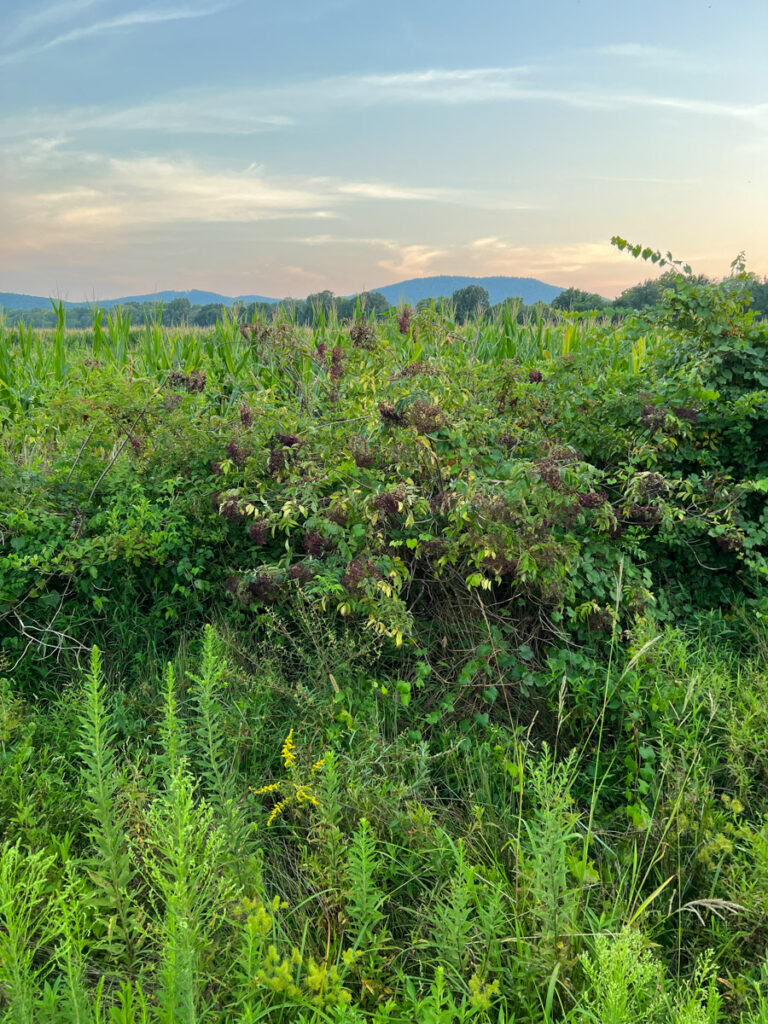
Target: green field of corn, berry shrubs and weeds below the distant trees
(397,670)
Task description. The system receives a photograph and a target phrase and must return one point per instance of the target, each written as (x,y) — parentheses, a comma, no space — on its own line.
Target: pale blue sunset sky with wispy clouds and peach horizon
(284,148)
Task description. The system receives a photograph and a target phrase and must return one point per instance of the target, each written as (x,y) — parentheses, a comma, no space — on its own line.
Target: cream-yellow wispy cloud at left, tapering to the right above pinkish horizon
(105,195)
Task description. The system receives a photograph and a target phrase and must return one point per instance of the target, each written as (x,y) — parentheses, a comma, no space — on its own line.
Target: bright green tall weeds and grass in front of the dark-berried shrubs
(474,904)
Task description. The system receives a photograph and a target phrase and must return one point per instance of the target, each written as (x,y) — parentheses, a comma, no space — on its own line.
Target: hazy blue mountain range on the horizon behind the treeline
(499,289)
